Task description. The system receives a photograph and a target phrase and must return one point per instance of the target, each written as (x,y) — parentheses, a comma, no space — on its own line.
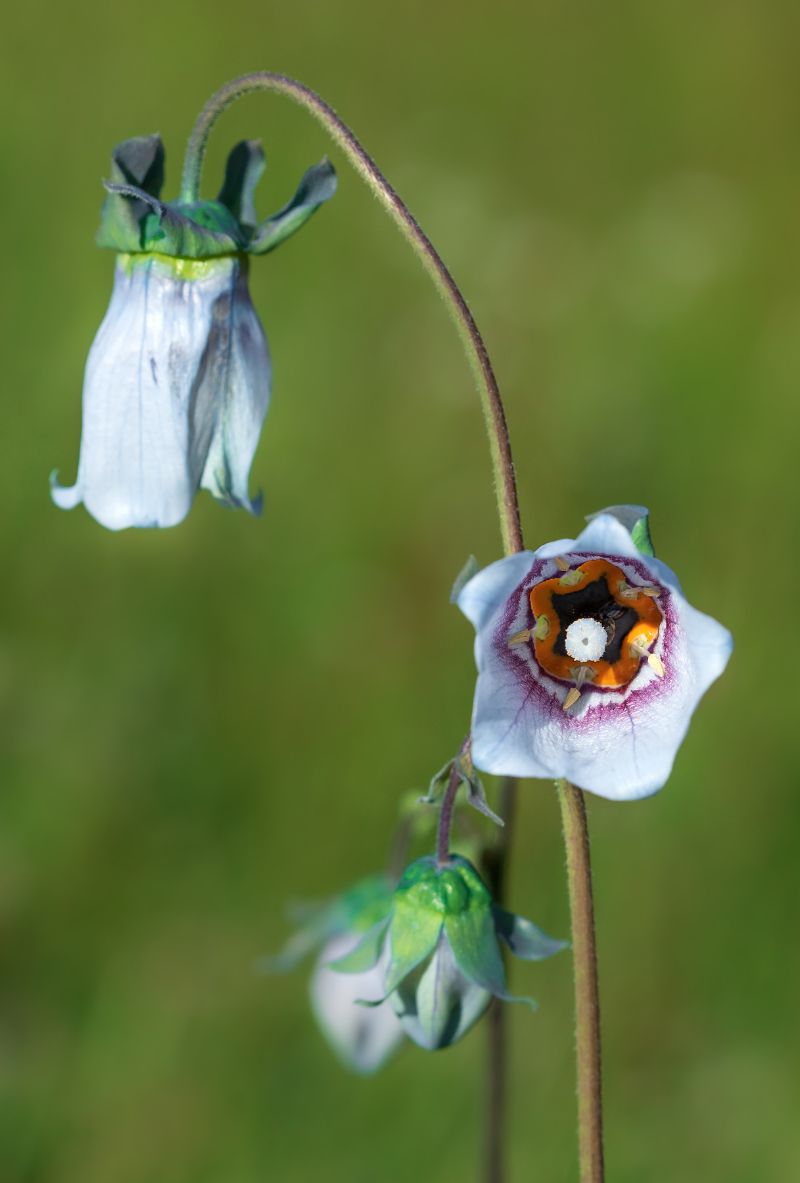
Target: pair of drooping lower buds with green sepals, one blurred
(427,968)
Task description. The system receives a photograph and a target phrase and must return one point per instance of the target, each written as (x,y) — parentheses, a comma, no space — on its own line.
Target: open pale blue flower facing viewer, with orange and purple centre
(591,662)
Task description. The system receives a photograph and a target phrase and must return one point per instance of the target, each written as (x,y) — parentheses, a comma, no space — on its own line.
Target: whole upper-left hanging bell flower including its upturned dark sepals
(178,378)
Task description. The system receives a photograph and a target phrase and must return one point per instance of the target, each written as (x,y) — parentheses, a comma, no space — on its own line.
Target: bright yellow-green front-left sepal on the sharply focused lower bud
(417,920)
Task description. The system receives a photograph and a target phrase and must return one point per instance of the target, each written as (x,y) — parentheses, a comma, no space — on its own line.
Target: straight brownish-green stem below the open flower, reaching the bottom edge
(588,1000)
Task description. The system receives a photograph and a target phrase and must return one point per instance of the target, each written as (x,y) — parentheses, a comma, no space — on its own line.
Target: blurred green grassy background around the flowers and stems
(201,723)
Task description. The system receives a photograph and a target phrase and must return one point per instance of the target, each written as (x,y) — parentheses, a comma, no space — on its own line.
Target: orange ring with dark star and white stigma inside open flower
(597,591)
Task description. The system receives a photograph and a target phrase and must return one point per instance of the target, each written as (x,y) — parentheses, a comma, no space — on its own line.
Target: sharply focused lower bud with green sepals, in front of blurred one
(440,951)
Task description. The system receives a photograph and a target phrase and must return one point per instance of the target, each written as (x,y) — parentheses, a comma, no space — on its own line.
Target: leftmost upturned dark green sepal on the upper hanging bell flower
(138,163)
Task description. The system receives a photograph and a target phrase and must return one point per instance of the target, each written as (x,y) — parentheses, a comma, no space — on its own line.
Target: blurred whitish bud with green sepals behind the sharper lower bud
(364,1038)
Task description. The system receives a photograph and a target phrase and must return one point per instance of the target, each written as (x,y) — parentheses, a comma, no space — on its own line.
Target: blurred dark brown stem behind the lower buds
(495,869)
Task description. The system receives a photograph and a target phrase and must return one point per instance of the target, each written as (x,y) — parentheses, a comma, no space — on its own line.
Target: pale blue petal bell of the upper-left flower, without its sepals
(176,392)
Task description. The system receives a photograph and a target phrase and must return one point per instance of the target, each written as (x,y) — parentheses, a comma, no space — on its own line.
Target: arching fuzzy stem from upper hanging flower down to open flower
(468,331)
